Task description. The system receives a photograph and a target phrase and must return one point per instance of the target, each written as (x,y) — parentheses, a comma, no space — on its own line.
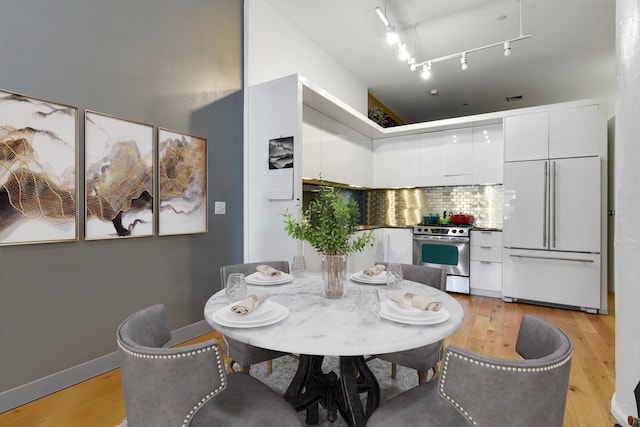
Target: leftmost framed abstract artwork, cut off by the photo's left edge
(38,170)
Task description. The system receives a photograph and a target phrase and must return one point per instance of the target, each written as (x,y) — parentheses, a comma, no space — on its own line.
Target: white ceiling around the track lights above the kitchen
(569,56)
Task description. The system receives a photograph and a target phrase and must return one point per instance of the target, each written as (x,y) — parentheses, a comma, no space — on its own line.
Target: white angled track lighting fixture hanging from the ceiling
(404,55)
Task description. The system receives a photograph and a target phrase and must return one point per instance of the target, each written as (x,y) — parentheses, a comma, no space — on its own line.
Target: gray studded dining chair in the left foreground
(188,386)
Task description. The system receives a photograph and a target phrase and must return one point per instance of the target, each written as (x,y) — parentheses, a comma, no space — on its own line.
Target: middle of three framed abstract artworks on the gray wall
(118,177)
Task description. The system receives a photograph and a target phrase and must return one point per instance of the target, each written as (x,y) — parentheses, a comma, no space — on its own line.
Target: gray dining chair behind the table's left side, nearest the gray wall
(243,354)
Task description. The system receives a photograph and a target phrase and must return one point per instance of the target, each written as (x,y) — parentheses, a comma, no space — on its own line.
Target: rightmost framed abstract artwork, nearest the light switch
(182,183)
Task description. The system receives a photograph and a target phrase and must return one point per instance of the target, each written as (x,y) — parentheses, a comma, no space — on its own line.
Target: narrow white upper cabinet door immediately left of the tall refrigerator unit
(488,154)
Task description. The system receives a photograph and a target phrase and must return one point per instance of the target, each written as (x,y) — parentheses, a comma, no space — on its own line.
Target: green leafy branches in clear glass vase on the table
(328,224)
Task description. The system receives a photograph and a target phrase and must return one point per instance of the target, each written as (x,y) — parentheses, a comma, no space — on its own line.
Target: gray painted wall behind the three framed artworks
(173,64)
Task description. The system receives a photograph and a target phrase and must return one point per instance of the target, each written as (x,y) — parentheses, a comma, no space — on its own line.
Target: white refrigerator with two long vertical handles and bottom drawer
(552,220)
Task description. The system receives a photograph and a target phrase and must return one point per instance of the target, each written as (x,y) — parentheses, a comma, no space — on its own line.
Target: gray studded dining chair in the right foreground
(477,390)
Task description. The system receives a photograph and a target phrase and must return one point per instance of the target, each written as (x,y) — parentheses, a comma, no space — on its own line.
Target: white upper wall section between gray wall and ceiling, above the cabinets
(276,48)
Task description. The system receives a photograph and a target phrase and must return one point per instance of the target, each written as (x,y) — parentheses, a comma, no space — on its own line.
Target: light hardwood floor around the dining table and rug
(490,327)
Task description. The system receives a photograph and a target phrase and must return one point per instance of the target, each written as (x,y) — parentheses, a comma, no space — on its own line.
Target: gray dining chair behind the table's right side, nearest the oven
(425,358)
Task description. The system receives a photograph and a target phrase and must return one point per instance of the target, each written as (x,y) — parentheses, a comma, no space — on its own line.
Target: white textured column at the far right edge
(627,234)
